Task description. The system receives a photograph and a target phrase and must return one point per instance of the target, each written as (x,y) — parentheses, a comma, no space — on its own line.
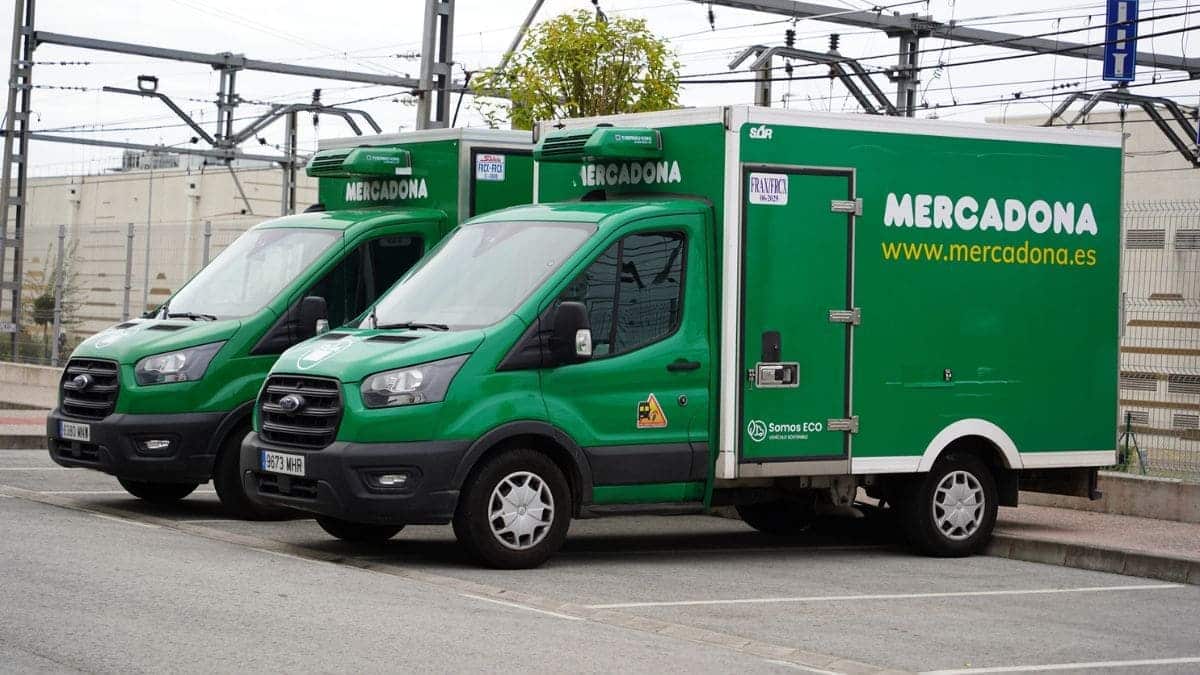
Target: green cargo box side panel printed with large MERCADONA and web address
(963,320)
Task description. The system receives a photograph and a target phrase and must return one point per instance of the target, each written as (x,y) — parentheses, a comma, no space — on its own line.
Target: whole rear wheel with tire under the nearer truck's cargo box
(951,512)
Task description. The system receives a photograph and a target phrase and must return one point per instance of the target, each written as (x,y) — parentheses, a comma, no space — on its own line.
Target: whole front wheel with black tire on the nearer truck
(538,518)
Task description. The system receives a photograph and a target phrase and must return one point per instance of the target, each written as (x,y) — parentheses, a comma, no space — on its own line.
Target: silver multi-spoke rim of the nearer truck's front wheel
(521,511)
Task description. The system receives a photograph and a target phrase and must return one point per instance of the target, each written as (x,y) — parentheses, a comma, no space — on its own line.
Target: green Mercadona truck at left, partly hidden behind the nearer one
(164,402)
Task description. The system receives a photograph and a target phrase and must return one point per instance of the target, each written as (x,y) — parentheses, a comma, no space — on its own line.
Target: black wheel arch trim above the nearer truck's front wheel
(542,437)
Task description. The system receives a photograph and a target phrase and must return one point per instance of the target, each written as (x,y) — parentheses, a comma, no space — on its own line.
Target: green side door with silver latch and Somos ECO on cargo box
(795,266)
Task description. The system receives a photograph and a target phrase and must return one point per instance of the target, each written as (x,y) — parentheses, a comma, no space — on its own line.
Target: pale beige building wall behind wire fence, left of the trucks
(115,246)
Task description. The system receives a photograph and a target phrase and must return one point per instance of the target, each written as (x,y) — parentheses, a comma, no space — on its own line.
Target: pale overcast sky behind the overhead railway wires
(376,35)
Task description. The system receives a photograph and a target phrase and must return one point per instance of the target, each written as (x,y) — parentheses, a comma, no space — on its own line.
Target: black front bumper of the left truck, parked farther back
(116,446)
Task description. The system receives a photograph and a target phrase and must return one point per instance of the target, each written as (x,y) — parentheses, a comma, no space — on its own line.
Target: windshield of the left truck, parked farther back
(251,272)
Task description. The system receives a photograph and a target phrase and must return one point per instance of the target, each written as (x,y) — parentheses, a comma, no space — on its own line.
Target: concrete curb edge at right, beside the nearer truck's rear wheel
(1083,557)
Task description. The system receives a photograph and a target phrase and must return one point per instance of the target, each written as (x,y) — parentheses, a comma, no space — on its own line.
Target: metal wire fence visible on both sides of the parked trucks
(113,271)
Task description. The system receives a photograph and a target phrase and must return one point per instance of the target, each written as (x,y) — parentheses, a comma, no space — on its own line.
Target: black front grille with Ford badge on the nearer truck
(299,411)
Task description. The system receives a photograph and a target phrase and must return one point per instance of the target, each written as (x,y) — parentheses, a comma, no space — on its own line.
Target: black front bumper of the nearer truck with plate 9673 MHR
(337,481)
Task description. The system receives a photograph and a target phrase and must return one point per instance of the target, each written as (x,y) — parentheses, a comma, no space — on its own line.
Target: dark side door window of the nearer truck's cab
(633,291)
